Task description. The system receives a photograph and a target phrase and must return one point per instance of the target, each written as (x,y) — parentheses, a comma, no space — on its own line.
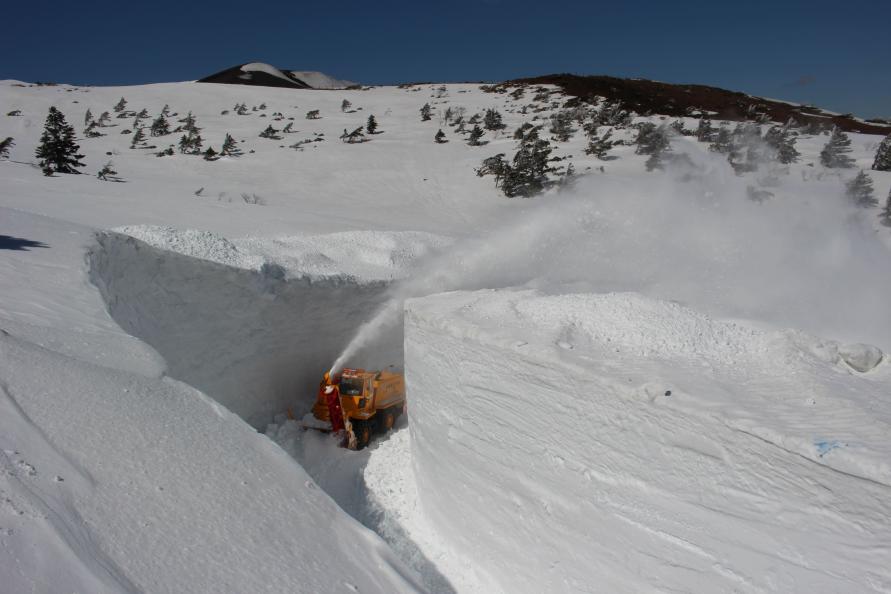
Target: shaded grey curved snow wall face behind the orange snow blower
(256,343)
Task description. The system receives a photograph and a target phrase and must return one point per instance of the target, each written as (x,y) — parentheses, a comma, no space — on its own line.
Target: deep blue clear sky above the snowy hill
(834,54)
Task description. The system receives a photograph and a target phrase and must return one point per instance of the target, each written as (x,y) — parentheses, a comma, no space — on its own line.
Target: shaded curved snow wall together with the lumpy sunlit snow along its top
(252,322)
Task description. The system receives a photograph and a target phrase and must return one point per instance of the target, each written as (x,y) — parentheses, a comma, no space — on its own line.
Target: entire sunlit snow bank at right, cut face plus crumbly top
(615,443)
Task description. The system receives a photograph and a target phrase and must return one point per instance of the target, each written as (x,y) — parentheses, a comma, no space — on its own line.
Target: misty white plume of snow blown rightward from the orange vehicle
(804,257)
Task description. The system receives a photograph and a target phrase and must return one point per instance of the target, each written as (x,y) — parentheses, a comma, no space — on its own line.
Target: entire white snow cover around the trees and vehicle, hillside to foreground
(150,329)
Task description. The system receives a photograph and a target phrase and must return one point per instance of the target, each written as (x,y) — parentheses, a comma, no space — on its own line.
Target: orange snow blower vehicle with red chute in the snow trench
(360,403)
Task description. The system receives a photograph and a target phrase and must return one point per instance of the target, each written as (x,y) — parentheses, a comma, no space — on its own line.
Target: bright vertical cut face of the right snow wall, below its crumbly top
(556,479)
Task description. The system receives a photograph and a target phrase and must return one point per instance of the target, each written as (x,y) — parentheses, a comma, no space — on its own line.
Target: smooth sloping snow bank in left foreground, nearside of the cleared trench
(115,478)
